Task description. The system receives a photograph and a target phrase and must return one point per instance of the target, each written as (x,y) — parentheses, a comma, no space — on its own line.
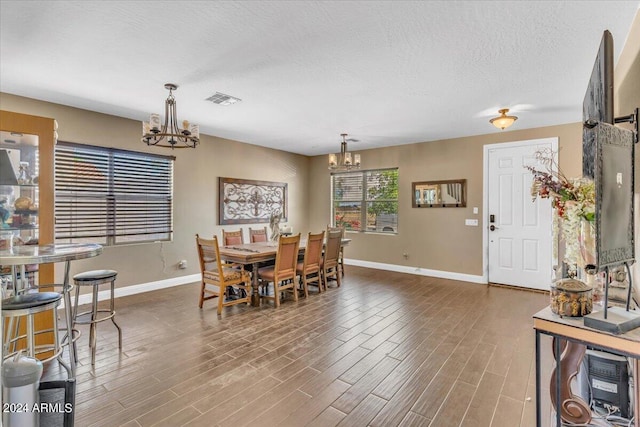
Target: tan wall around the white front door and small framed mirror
(435,238)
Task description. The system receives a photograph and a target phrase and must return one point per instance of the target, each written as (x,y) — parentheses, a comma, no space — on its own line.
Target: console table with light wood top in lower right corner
(572,329)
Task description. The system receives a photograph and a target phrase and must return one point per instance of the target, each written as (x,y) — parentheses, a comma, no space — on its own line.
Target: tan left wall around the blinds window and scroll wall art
(195,187)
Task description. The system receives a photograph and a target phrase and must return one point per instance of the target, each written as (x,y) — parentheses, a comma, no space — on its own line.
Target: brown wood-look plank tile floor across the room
(385,349)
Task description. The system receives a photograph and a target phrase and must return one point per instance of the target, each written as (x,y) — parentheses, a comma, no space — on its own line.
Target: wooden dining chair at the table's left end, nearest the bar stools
(220,276)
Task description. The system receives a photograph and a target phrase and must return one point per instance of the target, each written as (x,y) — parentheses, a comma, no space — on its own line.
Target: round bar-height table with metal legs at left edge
(24,255)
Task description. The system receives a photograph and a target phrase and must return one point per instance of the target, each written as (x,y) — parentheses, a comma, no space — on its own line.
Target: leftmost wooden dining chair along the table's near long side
(283,273)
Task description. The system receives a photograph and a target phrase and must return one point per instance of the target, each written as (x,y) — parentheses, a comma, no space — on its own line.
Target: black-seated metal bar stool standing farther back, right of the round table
(95,278)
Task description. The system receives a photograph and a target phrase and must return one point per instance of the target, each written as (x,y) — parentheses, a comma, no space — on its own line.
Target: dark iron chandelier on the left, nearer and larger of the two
(169,134)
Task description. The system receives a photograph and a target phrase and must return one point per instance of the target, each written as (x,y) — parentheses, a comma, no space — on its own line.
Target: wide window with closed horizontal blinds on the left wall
(112,196)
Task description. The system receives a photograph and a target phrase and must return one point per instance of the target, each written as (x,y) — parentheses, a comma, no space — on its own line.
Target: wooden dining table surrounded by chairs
(254,254)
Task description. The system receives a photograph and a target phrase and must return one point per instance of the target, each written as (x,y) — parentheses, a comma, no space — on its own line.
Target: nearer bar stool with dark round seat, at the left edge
(28,305)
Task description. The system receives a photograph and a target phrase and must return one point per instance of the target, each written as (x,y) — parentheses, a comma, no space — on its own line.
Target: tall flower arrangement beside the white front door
(573,201)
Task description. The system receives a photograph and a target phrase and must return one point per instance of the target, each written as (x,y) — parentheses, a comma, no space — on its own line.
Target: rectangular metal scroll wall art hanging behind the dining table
(244,201)
